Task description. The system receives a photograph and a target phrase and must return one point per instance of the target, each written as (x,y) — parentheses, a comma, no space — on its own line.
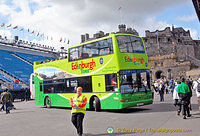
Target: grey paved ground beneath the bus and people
(31,120)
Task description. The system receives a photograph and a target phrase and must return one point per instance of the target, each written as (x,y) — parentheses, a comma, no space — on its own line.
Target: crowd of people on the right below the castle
(181,91)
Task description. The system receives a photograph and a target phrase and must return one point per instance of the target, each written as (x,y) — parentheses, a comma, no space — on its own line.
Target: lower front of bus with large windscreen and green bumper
(134,88)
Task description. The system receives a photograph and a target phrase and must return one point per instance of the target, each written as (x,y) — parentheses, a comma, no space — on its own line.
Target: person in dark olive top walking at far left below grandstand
(7,98)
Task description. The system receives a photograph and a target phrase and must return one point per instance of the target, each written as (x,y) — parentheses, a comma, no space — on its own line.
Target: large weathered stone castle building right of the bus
(172,53)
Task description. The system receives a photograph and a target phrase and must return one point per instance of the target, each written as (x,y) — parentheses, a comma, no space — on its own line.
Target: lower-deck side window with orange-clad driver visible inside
(111,82)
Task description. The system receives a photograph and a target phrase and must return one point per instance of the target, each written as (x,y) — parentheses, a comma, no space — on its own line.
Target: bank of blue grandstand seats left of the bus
(18,65)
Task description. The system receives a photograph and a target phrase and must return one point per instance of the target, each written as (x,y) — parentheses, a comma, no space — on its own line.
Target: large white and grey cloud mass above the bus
(71,18)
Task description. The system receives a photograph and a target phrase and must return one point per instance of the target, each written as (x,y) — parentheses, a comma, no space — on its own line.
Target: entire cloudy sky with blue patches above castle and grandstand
(69,19)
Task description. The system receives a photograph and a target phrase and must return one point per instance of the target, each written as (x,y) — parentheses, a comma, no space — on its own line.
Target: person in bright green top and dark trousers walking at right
(183,91)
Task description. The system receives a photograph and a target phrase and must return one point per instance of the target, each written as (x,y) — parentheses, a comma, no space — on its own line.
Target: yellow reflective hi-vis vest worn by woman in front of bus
(77,101)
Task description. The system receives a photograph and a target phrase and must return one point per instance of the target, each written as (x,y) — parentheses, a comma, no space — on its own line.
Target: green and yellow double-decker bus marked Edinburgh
(113,72)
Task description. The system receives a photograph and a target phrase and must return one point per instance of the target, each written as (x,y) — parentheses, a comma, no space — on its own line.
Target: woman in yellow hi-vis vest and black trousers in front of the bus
(78,103)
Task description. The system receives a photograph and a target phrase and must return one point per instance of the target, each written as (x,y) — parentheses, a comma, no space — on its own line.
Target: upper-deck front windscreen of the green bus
(130,44)
